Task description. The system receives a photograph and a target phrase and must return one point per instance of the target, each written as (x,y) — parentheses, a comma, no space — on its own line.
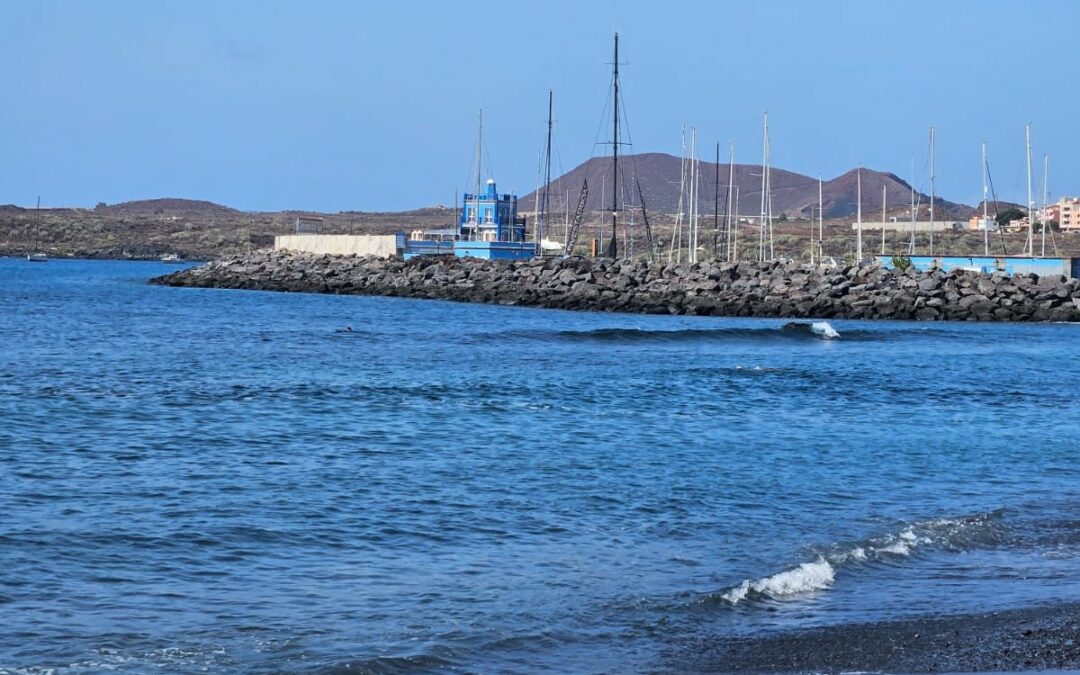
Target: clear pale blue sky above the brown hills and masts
(358,105)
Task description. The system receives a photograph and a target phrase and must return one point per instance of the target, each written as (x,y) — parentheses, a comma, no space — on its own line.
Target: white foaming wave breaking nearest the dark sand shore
(816,576)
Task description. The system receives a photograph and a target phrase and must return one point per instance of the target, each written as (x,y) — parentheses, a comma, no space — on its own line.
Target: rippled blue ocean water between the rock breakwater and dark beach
(218,481)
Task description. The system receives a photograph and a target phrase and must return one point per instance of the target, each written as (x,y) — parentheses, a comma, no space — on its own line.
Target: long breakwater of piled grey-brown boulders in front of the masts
(709,289)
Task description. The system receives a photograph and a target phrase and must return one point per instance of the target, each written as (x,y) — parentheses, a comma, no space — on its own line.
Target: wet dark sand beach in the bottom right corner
(1043,639)
